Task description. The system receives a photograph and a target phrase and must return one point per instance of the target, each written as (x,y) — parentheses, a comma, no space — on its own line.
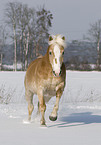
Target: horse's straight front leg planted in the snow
(42,106)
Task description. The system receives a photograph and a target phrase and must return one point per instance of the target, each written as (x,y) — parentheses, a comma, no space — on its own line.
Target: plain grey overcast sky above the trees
(71,17)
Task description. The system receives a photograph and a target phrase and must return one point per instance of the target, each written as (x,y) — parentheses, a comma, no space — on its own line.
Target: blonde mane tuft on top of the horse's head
(57,39)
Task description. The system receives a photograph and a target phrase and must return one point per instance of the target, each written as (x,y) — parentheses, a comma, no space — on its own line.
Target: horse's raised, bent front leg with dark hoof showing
(53,115)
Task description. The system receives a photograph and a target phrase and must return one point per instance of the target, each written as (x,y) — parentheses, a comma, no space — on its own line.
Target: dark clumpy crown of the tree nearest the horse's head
(44,22)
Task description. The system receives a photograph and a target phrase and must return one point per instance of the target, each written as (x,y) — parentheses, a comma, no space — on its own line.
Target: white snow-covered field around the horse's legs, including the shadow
(79,116)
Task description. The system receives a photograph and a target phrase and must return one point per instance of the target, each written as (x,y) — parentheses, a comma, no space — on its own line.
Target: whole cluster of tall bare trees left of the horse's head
(27,29)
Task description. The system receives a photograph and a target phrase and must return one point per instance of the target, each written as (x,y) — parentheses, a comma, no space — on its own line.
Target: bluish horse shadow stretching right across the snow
(77,119)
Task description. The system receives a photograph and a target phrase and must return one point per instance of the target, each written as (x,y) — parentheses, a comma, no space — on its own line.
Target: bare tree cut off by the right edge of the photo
(94,34)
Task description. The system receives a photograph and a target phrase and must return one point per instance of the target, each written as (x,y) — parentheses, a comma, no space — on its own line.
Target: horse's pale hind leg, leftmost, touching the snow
(29,98)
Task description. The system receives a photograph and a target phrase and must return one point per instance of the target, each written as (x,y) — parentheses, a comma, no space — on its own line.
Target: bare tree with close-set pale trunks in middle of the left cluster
(26,25)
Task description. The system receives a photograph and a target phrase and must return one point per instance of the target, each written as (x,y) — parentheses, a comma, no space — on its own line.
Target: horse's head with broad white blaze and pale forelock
(56,53)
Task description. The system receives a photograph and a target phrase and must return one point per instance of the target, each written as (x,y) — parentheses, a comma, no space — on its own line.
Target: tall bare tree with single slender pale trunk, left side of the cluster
(11,19)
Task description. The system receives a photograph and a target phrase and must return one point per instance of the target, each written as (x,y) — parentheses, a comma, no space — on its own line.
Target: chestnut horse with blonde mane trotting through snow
(45,77)
